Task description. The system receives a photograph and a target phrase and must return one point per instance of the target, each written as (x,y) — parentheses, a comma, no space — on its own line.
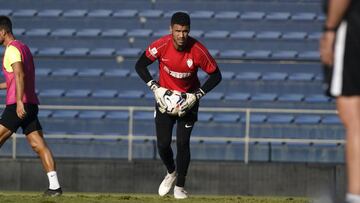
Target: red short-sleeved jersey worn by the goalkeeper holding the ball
(178,69)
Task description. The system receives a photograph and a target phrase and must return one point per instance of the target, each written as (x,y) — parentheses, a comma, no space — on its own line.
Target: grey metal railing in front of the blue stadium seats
(130,136)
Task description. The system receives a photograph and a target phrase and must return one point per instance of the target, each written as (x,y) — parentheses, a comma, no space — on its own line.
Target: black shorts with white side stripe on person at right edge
(343,79)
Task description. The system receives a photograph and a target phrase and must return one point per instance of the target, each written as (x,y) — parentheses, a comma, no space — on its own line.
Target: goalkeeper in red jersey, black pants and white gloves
(179,56)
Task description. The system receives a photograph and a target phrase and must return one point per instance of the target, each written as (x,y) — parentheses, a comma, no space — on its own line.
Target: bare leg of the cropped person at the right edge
(349,111)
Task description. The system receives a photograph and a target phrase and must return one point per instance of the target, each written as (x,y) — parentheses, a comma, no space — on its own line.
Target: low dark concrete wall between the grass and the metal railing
(144,176)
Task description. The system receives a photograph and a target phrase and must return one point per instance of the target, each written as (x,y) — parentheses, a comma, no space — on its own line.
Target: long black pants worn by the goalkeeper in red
(164,127)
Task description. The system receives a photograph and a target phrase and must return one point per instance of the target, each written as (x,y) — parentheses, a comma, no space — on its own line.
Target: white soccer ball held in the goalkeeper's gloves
(173,100)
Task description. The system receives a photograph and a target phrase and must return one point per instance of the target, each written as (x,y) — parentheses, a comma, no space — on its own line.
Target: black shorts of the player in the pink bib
(29,124)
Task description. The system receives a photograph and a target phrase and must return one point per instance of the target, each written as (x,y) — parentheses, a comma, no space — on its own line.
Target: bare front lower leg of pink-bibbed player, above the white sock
(38,144)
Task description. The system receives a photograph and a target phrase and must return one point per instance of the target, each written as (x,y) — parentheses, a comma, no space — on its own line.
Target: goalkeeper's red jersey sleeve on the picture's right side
(206,61)
